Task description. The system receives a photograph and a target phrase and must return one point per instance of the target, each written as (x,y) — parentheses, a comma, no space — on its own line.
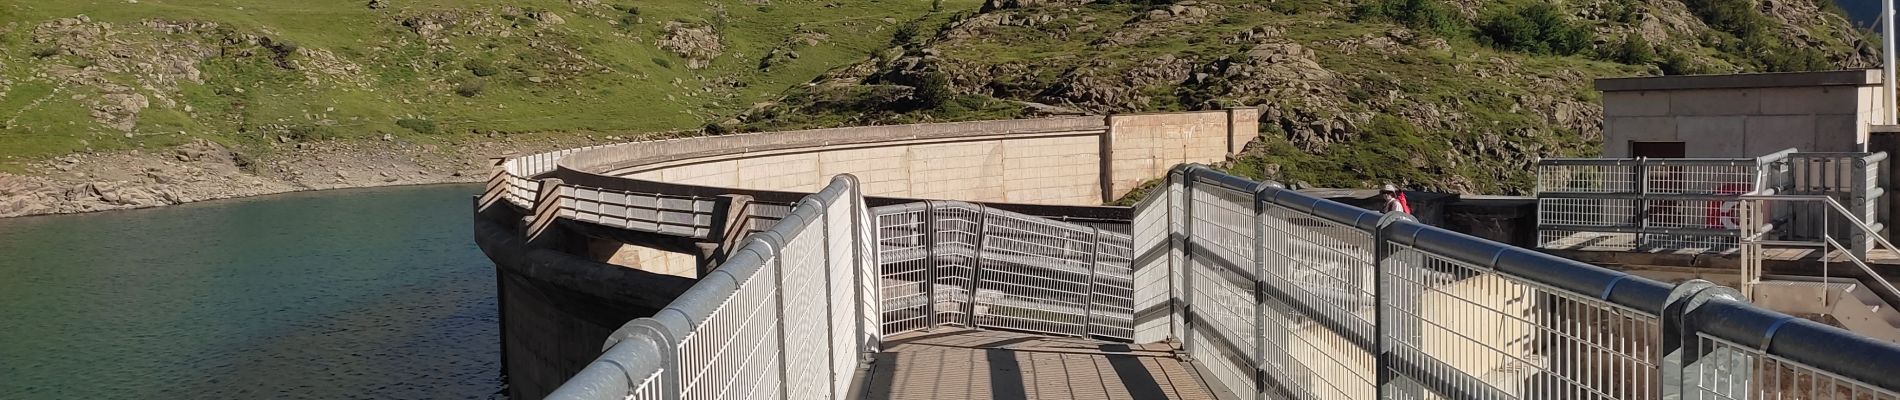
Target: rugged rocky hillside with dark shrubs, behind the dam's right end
(1454,96)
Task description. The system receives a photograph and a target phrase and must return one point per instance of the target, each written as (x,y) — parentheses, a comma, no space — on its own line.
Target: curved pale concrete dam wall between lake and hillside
(586,240)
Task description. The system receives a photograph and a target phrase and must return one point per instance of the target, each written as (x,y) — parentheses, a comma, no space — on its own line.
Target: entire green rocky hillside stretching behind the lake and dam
(1456,96)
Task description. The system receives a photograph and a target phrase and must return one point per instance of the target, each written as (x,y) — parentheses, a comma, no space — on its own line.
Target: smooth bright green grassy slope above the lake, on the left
(113,75)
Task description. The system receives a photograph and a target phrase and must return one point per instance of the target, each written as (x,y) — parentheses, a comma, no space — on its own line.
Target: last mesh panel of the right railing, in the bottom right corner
(1738,373)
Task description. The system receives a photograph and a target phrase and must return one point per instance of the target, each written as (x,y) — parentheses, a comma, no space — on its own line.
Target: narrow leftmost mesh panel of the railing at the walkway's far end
(903,268)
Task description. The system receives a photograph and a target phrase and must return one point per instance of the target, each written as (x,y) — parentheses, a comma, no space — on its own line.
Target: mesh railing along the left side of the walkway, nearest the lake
(780,319)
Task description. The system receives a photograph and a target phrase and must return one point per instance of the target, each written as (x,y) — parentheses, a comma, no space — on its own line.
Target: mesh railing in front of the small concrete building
(1690,204)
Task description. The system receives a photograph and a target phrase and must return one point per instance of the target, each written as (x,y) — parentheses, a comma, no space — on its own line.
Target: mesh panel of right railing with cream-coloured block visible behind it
(1504,338)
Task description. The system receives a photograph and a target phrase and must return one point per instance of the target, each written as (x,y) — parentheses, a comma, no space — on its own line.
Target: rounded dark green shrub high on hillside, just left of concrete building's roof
(1536,29)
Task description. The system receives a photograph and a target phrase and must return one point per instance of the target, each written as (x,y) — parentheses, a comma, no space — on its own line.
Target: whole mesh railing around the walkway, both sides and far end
(1272,293)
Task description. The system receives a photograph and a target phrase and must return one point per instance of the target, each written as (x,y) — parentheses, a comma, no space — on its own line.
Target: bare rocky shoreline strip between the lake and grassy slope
(204,172)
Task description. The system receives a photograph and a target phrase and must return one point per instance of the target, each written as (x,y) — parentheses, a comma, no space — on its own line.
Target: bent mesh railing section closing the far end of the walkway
(962,264)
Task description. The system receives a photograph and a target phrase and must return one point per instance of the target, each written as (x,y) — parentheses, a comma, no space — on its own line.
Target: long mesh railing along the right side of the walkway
(1293,297)
